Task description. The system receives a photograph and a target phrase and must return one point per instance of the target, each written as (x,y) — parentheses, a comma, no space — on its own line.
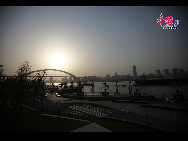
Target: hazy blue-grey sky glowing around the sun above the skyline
(94,40)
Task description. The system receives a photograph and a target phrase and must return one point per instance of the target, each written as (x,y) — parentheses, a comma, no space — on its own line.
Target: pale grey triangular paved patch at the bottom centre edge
(93,127)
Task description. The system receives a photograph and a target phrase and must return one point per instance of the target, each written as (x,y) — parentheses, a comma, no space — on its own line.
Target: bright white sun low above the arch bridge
(58,61)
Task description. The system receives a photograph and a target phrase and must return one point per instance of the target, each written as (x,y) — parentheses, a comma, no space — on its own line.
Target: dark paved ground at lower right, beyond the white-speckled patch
(165,119)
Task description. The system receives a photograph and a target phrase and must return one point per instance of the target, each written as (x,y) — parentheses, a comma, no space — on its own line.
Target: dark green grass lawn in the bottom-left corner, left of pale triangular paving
(28,120)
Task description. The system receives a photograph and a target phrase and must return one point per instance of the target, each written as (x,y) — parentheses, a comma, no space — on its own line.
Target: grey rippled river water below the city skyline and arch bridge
(157,91)
